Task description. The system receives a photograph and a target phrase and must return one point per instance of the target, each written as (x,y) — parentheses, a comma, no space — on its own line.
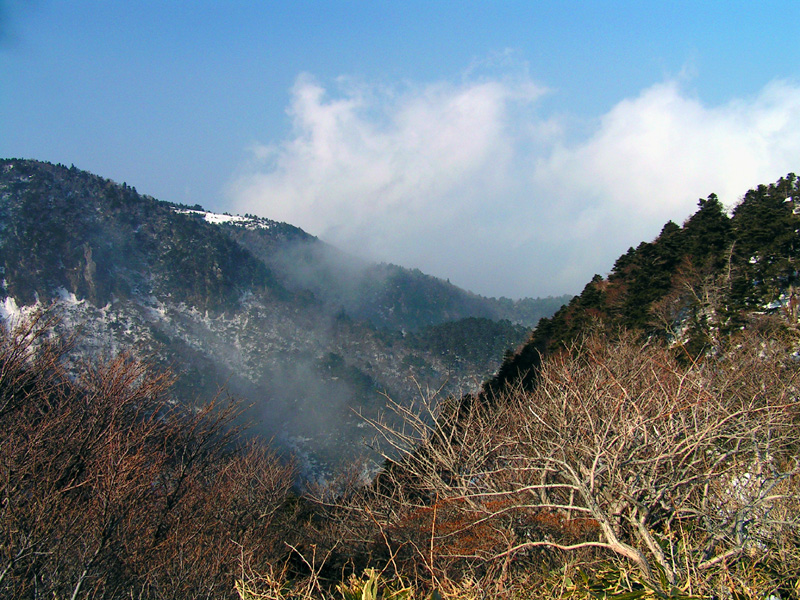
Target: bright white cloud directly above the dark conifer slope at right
(653,156)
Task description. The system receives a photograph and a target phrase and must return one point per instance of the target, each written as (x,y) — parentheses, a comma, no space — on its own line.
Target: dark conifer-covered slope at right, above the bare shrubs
(691,287)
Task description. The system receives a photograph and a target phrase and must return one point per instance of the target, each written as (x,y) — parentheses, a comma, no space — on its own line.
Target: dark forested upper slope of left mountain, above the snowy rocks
(68,229)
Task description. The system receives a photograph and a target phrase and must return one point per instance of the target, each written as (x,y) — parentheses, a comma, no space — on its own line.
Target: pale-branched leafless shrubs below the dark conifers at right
(687,472)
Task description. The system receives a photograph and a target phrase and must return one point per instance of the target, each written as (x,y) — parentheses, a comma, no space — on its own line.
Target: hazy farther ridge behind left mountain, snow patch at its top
(386,295)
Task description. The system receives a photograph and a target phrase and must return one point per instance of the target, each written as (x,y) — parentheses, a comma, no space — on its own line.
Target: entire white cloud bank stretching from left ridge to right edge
(468,181)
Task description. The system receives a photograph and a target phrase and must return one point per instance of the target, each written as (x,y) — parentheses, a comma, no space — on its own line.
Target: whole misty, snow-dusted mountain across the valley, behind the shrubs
(305,333)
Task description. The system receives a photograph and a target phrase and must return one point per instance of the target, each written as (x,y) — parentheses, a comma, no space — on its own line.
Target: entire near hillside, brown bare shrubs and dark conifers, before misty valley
(645,443)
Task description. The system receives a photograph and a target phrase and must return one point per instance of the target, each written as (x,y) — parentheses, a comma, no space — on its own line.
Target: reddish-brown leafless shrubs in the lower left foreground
(109,489)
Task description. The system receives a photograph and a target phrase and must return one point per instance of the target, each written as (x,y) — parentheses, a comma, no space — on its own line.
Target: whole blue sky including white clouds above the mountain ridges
(516,148)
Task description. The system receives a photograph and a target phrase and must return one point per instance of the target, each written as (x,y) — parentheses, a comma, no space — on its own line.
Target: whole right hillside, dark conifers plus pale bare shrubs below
(648,432)
